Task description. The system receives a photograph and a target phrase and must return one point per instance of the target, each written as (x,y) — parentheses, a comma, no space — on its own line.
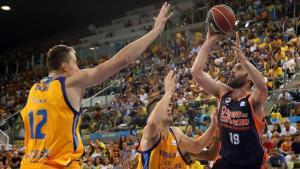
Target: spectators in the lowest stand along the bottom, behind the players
(281,142)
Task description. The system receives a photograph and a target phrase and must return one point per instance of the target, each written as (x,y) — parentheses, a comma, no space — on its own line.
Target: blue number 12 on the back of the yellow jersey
(35,131)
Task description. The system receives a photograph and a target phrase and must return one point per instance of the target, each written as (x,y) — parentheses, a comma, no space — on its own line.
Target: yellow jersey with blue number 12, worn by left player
(52,138)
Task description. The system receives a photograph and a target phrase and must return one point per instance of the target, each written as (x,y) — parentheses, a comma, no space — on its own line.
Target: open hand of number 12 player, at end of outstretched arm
(162,18)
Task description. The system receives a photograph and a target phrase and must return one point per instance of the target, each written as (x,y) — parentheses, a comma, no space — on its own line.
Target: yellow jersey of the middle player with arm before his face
(165,154)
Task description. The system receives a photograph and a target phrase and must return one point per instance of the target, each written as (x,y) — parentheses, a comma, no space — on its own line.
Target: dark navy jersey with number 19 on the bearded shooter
(239,132)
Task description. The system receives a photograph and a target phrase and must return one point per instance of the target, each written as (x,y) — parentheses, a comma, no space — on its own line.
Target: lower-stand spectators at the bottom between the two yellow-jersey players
(112,155)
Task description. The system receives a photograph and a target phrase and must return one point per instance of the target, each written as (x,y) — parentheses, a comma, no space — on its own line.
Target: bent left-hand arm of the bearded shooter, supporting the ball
(202,78)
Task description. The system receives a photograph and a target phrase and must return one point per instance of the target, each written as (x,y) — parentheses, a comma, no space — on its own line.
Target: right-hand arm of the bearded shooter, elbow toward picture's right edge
(260,93)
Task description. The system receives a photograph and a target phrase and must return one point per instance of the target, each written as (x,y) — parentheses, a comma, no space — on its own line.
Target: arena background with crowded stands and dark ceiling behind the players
(114,113)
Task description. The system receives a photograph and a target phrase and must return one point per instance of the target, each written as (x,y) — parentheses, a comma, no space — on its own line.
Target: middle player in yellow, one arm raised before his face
(166,147)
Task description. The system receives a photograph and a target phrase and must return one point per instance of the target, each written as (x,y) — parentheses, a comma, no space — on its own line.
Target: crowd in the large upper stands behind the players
(272,45)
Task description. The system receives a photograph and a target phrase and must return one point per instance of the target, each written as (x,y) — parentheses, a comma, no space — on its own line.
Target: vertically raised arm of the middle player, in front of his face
(151,130)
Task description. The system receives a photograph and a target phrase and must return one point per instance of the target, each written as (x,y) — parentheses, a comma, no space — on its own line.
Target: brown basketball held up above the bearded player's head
(221,19)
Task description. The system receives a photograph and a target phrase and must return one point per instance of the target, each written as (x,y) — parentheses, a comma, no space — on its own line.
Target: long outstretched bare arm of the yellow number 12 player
(123,58)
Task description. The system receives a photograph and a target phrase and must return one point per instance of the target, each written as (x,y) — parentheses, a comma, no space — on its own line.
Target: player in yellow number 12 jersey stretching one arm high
(52,112)
